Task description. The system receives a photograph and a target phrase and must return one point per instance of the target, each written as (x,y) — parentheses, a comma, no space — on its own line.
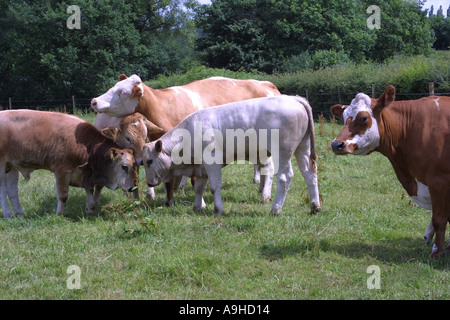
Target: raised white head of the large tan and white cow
(122,99)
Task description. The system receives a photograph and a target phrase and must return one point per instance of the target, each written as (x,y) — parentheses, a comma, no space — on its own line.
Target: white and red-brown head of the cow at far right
(360,135)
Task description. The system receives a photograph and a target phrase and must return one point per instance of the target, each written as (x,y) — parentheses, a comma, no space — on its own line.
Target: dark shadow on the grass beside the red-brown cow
(399,250)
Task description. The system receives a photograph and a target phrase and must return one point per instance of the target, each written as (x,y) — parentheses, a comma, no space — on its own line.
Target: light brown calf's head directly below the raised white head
(135,131)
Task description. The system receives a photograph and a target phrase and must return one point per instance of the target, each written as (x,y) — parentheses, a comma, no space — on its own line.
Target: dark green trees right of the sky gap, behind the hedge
(267,34)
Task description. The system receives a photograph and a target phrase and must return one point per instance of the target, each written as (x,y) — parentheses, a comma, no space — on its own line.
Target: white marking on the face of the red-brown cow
(371,138)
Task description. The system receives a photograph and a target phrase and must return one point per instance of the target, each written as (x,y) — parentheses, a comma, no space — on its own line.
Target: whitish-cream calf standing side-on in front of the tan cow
(279,126)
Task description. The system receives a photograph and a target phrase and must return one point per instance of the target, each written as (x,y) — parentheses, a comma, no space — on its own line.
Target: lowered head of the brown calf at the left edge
(122,172)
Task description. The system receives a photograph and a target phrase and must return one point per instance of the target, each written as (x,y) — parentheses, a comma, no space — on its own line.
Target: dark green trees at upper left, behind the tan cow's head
(43,59)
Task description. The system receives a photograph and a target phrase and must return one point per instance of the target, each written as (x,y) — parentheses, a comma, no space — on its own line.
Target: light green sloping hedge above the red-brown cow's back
(410,75)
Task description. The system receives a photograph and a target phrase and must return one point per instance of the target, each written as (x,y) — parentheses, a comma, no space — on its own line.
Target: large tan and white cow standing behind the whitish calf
(165,108)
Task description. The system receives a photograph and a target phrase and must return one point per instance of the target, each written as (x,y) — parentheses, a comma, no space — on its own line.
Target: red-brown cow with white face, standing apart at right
(415,136)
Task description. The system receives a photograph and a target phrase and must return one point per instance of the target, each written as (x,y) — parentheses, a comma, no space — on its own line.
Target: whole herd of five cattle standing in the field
(137,125)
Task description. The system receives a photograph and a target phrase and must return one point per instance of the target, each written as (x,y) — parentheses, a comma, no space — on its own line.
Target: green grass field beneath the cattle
(367,219)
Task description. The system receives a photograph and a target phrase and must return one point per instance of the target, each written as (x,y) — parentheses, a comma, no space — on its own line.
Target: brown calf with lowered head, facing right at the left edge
(73,149)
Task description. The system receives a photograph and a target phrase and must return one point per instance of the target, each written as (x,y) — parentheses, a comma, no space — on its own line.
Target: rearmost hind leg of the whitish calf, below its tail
(302,156)
